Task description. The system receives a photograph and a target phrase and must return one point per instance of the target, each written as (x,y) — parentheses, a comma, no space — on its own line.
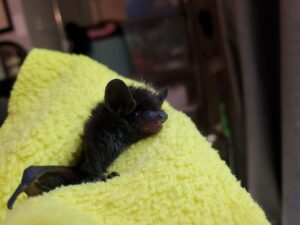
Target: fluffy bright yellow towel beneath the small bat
(174,177)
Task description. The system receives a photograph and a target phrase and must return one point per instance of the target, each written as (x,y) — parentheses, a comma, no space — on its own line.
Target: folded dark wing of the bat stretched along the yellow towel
(38,179)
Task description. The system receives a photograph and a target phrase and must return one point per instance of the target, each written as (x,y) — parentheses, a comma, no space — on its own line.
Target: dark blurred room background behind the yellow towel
(230,65)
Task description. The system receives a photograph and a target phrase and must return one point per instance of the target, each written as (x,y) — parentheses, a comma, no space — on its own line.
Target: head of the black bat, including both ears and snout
(140,107)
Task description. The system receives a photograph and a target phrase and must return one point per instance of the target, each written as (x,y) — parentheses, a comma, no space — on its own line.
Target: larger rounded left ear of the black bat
(118,97)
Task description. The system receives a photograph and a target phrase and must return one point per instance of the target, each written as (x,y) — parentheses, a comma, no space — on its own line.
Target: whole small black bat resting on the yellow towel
(127,115)
